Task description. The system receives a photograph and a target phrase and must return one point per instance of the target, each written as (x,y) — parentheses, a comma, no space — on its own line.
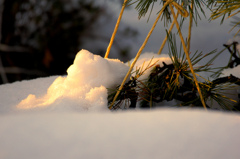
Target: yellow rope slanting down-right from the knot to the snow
(188,58)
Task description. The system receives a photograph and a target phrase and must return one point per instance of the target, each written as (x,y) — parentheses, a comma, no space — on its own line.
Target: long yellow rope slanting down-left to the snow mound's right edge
(139,53)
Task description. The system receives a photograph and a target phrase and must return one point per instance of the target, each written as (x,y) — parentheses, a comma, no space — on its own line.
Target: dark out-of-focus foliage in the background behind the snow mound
(41,37)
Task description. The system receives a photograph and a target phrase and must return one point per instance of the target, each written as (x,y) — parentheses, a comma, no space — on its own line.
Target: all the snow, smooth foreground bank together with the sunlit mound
(67,117)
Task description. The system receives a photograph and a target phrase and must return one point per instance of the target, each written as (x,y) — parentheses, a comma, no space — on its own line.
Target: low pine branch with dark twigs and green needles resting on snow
(175,82)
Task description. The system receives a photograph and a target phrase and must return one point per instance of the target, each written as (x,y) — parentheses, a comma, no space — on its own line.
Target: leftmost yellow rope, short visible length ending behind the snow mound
(115,29)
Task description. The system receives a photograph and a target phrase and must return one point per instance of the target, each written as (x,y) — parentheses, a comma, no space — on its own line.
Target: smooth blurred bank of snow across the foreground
(162,133)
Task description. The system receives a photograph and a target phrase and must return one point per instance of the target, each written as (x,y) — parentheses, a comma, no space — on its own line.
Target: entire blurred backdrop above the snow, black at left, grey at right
(40,38)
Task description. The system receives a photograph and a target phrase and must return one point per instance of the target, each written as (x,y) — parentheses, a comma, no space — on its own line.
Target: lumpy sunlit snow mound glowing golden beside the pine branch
(85,86)
